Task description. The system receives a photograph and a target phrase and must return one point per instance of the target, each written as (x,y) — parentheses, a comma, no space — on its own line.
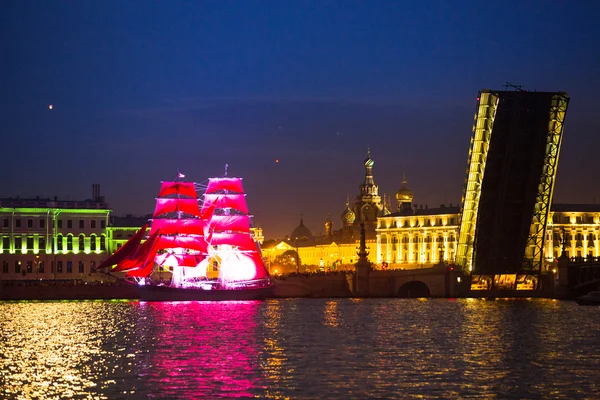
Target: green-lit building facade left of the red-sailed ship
(53,239)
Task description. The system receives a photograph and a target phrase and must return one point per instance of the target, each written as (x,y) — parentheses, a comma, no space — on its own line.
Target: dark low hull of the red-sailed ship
(165,293)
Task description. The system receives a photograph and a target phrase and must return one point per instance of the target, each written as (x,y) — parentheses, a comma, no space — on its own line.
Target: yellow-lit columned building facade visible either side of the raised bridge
(427,236)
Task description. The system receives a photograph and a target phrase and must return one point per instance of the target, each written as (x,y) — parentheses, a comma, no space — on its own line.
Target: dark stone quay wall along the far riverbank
(439,281)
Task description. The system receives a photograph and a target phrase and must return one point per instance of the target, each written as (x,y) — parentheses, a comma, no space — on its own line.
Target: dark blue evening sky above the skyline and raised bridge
(141,89)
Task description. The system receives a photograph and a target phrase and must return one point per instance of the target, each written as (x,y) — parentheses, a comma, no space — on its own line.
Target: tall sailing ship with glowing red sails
(193,252)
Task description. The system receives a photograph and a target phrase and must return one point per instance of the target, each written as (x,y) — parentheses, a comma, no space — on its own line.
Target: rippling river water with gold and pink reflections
(300,349)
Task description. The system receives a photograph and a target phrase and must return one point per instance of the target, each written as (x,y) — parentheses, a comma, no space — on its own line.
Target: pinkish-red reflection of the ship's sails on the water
(202,349)
